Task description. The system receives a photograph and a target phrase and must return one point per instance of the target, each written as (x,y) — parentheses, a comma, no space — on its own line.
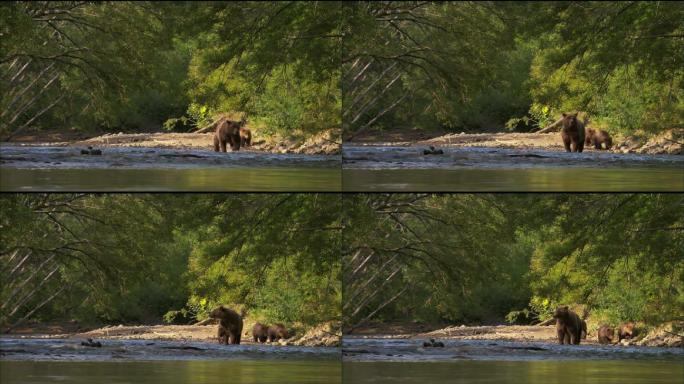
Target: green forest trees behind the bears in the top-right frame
(482,66)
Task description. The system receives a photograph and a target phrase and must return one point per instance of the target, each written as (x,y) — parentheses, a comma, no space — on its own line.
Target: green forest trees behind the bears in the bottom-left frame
(144,259)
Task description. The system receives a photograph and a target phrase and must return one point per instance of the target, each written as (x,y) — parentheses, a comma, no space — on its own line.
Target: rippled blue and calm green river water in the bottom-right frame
(489,361)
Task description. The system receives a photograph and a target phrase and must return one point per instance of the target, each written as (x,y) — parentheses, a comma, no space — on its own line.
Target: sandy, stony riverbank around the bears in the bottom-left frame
(324,334)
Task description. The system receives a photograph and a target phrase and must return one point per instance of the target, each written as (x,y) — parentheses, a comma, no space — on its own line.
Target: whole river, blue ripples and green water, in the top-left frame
(38,168)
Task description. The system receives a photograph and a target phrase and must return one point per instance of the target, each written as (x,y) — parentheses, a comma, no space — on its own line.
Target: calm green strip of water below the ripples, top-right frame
(515,180)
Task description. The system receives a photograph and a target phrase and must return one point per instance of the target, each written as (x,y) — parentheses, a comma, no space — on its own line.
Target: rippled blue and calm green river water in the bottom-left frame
(29,361)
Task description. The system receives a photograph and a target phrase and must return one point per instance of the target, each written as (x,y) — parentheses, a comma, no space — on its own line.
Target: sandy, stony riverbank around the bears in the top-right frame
(668,142)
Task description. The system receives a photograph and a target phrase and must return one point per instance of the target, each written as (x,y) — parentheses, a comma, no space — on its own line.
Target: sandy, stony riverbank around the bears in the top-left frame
(324,143)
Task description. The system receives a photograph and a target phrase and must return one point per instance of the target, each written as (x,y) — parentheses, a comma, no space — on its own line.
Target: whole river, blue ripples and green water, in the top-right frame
(391,168)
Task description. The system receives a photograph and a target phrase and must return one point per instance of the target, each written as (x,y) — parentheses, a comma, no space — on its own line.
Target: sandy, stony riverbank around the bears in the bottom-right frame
(662,336)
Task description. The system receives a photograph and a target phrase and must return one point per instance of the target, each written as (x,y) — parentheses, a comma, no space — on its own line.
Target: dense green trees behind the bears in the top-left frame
(141,65)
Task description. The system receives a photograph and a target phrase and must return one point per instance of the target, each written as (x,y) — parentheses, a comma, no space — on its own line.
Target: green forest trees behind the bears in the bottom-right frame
(492,259)
